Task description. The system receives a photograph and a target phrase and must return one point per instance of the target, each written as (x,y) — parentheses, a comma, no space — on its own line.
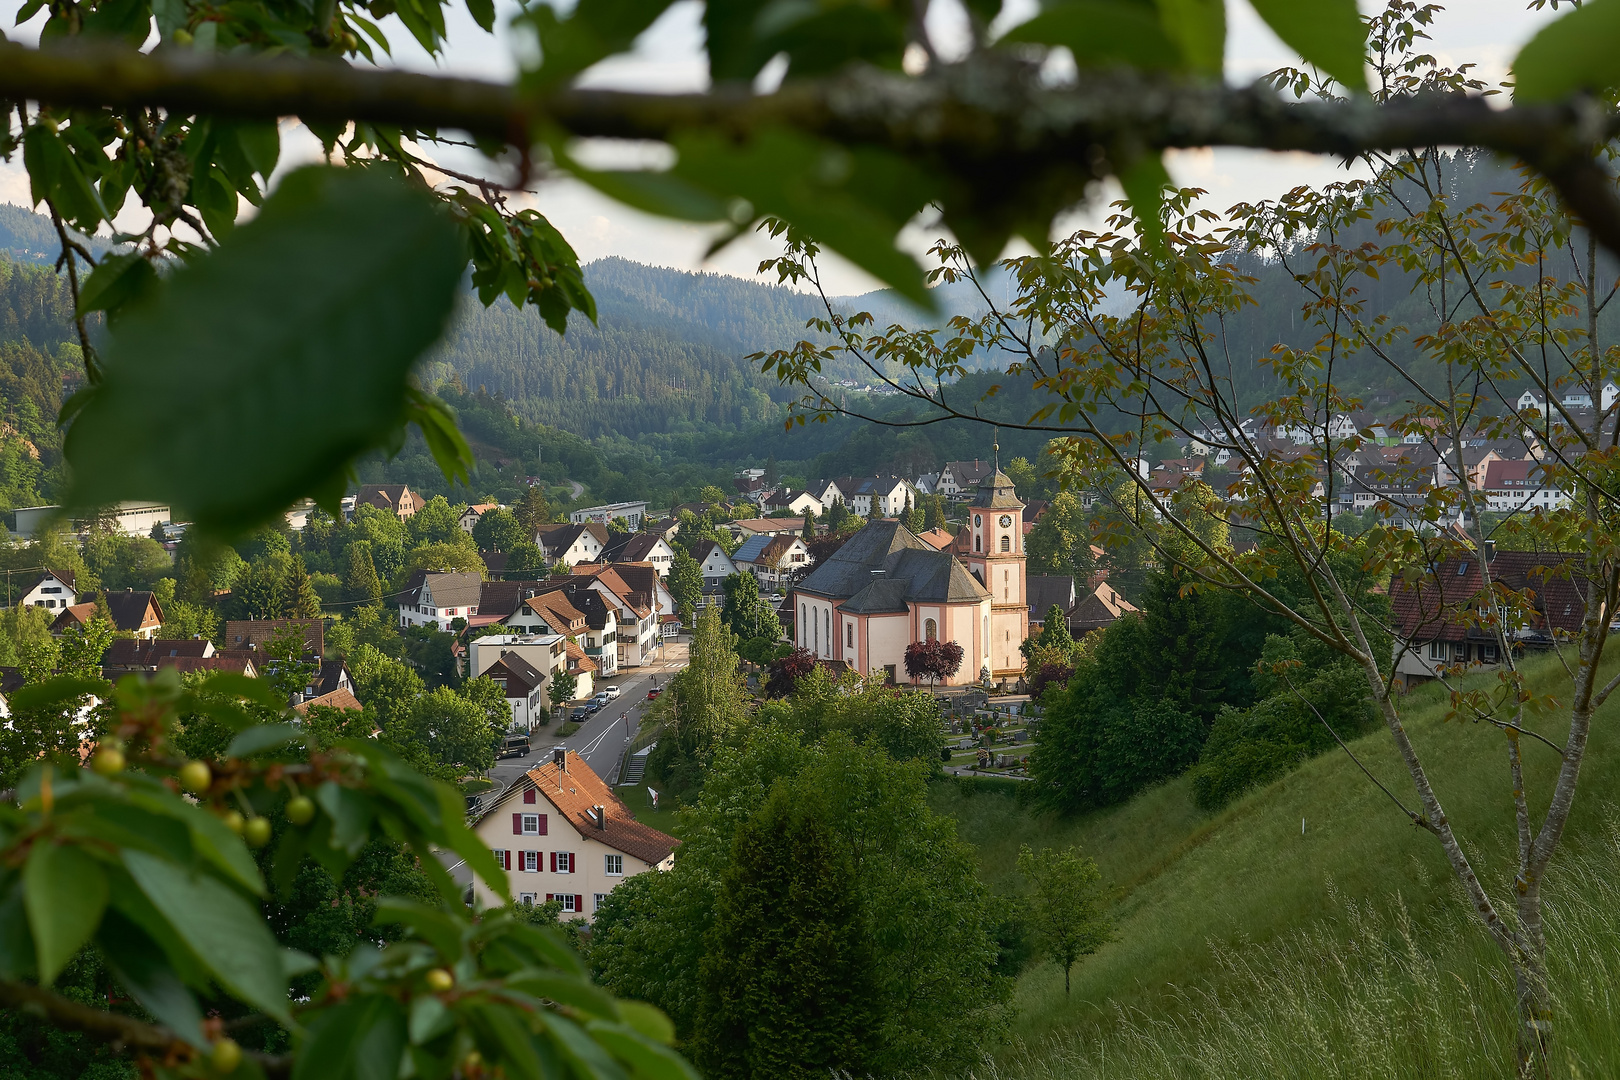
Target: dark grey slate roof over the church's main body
(885,568)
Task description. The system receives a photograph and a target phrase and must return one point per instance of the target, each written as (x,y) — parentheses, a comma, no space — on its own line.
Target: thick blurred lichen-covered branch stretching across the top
(986,114)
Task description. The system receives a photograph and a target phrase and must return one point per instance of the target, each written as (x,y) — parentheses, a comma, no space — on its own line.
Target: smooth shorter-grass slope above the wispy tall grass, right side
(1185,880)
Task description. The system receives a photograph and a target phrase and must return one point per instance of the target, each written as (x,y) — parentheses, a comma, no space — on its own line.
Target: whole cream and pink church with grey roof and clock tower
(885,589)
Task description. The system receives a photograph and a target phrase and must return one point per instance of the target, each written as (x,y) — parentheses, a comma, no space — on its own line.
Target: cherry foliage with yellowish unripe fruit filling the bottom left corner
(168,893)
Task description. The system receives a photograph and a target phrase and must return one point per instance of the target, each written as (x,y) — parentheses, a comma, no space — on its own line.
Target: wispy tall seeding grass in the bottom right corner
(1366,993)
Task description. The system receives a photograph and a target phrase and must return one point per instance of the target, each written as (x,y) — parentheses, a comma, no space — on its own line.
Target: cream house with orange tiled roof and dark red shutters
(561,835)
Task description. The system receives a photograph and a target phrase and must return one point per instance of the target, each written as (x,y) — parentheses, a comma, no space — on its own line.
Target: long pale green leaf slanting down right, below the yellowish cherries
(221,927)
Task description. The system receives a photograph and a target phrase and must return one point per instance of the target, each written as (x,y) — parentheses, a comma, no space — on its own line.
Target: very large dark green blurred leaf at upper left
(301,330)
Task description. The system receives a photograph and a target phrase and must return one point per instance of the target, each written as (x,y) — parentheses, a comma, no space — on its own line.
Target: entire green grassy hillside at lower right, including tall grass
(1315,904)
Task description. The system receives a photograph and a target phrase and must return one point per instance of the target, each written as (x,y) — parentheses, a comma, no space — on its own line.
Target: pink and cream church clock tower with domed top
(997,559)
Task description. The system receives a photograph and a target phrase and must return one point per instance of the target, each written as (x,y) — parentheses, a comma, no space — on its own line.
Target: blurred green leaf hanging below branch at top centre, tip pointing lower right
(853,202)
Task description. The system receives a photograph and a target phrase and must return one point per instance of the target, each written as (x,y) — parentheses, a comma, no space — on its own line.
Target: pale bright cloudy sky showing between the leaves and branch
(668,59)
